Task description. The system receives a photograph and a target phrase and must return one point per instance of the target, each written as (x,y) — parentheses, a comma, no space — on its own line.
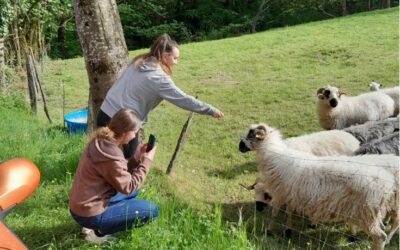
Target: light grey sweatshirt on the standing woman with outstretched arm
(143,89)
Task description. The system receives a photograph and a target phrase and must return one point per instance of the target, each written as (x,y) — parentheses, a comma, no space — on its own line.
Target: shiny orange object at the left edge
(18,180)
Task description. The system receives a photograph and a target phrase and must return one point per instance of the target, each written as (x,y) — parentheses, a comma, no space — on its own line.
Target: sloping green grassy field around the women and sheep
(268,77)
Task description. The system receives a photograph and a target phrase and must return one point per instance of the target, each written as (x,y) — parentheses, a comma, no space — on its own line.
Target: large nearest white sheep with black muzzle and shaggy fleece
(357,190)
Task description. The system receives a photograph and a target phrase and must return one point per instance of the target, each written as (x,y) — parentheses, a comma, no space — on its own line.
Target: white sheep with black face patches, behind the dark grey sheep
(337,112)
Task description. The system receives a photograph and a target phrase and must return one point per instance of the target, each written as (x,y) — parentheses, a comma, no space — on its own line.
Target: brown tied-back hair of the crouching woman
(123,121)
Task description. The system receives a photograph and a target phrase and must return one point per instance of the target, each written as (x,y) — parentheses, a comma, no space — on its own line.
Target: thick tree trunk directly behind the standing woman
(102,40)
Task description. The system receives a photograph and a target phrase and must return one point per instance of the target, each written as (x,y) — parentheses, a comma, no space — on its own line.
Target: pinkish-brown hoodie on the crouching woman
(102,172)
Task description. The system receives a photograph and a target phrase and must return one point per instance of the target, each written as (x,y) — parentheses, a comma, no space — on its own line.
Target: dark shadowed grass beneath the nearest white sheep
(303,234)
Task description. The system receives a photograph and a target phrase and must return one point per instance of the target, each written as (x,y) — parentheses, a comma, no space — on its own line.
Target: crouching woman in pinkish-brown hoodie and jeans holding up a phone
(103,194)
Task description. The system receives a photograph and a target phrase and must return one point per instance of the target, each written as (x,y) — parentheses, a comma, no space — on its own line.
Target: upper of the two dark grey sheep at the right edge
(373,130)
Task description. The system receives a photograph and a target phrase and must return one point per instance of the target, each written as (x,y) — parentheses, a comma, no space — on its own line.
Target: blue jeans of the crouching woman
(123,212)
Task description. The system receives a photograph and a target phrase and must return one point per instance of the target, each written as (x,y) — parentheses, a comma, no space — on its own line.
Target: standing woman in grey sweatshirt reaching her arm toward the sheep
(145,83)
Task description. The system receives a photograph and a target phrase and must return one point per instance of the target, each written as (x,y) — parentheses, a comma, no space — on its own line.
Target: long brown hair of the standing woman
(163,44)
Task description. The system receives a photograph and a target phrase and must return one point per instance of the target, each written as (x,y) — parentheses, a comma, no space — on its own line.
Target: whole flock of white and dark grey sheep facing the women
(348,173)
